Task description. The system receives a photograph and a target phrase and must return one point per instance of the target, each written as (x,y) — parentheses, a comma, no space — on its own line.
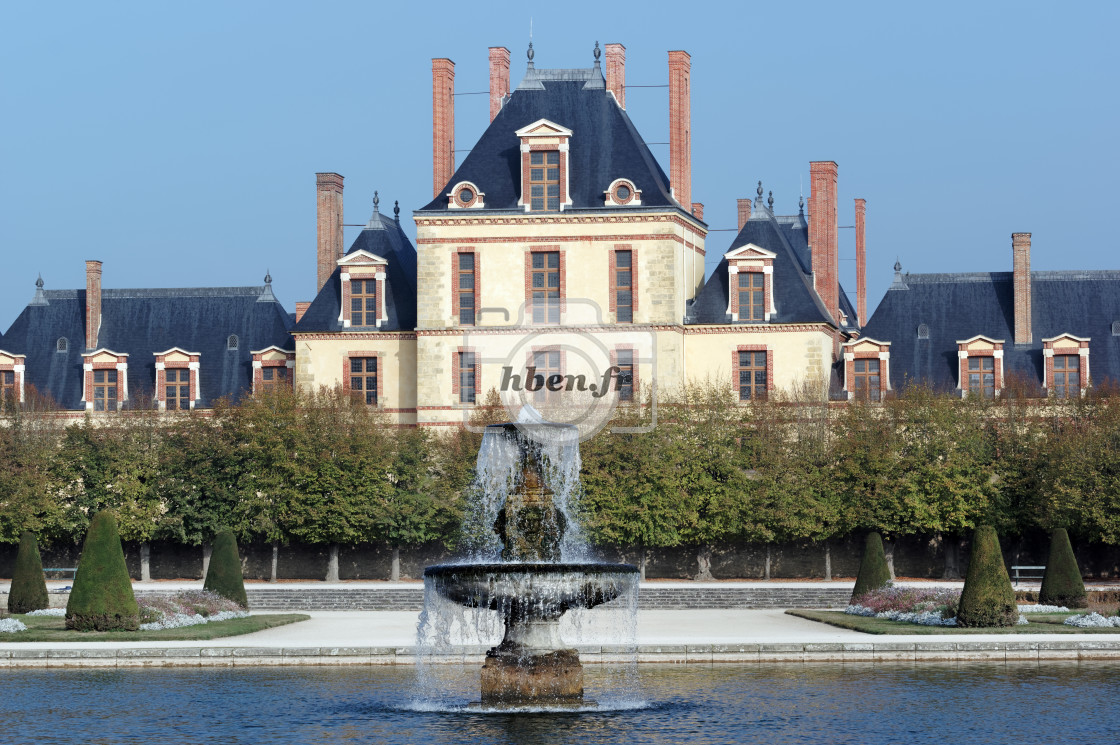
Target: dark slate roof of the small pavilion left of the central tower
(382,237)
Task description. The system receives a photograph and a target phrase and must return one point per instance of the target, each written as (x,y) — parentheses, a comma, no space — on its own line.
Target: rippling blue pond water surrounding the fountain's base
(1014,703)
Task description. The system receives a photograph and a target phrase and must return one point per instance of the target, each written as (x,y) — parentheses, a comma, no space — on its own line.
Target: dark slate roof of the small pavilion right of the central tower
(796,302)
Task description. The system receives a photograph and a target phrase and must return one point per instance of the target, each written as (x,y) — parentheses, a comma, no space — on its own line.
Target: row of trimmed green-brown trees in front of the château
(322,470)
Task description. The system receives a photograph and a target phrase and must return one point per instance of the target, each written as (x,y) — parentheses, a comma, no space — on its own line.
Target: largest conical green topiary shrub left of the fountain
(102,598)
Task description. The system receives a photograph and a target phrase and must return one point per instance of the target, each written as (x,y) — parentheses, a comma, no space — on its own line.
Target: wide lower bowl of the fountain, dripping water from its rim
(533,590)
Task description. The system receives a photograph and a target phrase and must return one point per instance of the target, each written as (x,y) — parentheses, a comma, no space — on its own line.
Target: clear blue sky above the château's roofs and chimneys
(180,144)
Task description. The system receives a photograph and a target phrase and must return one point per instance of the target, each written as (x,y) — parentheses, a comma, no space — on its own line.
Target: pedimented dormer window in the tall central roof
(545,178)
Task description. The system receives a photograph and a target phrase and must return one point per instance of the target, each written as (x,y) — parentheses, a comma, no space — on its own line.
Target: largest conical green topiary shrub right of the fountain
(988,599)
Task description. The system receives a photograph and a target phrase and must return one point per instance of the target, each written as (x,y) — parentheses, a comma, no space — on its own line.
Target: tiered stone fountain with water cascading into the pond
(530,574)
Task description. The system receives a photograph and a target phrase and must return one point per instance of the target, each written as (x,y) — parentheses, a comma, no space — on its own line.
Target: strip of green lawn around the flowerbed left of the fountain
(53,629)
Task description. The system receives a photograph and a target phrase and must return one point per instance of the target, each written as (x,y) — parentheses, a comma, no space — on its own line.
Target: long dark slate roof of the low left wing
(141,323)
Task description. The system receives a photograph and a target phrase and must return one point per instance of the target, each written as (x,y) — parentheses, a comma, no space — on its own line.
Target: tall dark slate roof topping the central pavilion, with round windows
(604,146)
